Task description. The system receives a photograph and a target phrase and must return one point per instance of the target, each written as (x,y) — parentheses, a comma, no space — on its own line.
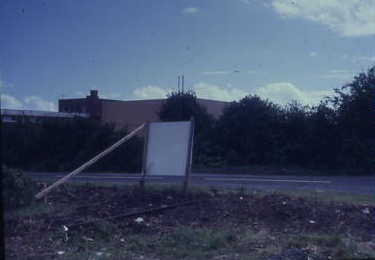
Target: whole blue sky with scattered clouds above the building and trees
(226,49)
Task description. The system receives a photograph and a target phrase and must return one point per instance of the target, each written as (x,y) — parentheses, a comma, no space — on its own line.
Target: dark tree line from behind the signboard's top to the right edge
(336,134)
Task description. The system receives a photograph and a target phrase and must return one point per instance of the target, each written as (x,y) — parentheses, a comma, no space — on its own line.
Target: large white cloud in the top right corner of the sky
(348,18)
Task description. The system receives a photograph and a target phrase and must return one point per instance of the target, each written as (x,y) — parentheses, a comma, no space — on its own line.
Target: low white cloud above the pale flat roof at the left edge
(28,103)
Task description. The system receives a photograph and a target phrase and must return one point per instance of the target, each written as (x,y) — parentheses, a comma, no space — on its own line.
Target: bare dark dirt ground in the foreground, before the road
(156,213)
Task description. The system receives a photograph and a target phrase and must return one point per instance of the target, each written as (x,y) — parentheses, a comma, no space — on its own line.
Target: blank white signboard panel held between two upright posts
(168,148)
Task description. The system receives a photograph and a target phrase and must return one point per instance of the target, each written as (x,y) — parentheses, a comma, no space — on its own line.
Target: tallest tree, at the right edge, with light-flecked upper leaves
(354,104)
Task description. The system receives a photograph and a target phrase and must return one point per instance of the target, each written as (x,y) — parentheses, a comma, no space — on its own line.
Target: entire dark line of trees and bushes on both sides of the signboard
(336,134)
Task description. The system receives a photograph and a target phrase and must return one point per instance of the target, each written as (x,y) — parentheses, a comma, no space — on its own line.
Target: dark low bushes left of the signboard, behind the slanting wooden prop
(63,145)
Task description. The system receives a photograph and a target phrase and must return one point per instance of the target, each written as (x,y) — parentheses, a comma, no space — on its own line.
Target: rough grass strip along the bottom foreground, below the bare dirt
(205,243)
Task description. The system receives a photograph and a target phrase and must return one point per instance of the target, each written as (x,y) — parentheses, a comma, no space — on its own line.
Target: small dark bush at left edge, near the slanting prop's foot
(18,190)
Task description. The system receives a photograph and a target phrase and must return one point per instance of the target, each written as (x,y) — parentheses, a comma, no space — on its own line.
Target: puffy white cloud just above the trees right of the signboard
(284,92)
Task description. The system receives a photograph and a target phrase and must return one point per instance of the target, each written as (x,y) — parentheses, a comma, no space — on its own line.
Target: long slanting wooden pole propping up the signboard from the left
(87,164)
